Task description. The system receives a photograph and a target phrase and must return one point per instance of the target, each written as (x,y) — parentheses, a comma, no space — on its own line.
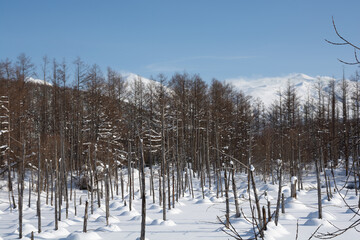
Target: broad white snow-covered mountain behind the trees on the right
(267,88)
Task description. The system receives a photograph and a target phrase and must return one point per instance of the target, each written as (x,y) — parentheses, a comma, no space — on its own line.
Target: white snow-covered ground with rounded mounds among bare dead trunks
(192,218)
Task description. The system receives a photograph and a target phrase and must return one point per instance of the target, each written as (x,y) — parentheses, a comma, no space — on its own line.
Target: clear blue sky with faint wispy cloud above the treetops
(216,39)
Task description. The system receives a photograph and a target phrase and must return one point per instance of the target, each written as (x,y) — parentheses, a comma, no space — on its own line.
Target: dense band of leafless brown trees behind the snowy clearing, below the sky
(183,121)
